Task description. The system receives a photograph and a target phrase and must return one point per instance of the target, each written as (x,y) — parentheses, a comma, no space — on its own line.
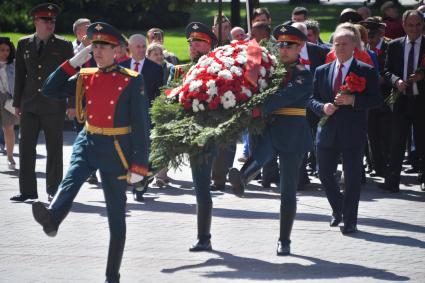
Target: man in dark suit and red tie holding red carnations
(345,129)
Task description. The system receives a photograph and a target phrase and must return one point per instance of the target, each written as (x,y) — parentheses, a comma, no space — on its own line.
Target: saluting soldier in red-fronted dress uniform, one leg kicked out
(115,138)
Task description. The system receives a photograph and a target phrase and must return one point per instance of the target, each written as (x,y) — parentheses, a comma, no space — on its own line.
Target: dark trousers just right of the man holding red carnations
(379,135)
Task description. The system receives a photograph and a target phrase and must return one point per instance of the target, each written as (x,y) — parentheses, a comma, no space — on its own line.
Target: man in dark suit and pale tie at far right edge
(404,70)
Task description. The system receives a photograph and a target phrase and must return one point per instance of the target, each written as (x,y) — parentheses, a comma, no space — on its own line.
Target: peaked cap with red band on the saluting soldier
(104,33)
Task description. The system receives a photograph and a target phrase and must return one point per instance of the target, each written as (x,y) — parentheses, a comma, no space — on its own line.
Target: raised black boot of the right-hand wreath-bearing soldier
(239,179)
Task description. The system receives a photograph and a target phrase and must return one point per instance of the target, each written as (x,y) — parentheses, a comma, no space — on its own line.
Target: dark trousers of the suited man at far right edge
(401,122)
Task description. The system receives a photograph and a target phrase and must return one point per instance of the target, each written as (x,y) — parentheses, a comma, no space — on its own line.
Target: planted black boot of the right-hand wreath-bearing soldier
(286,221)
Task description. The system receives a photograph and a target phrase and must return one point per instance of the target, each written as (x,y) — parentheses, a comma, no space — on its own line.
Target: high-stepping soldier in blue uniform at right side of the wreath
(287,133)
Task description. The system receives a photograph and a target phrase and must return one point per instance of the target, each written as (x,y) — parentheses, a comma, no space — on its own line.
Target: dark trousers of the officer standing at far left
(31,124)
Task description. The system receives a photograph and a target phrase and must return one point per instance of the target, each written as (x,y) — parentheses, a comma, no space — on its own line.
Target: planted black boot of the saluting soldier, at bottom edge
(116,249)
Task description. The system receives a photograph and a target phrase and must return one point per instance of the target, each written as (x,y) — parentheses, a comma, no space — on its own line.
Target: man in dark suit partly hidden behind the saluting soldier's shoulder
(152,76)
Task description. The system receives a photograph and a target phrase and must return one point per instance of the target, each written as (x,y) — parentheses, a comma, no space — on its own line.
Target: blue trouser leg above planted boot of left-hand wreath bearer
(201,175)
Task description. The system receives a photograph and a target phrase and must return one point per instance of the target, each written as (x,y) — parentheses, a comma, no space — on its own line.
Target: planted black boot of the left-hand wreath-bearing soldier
(204,215)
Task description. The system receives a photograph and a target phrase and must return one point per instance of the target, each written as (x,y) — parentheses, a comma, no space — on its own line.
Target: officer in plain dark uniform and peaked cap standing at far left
(37,56)
